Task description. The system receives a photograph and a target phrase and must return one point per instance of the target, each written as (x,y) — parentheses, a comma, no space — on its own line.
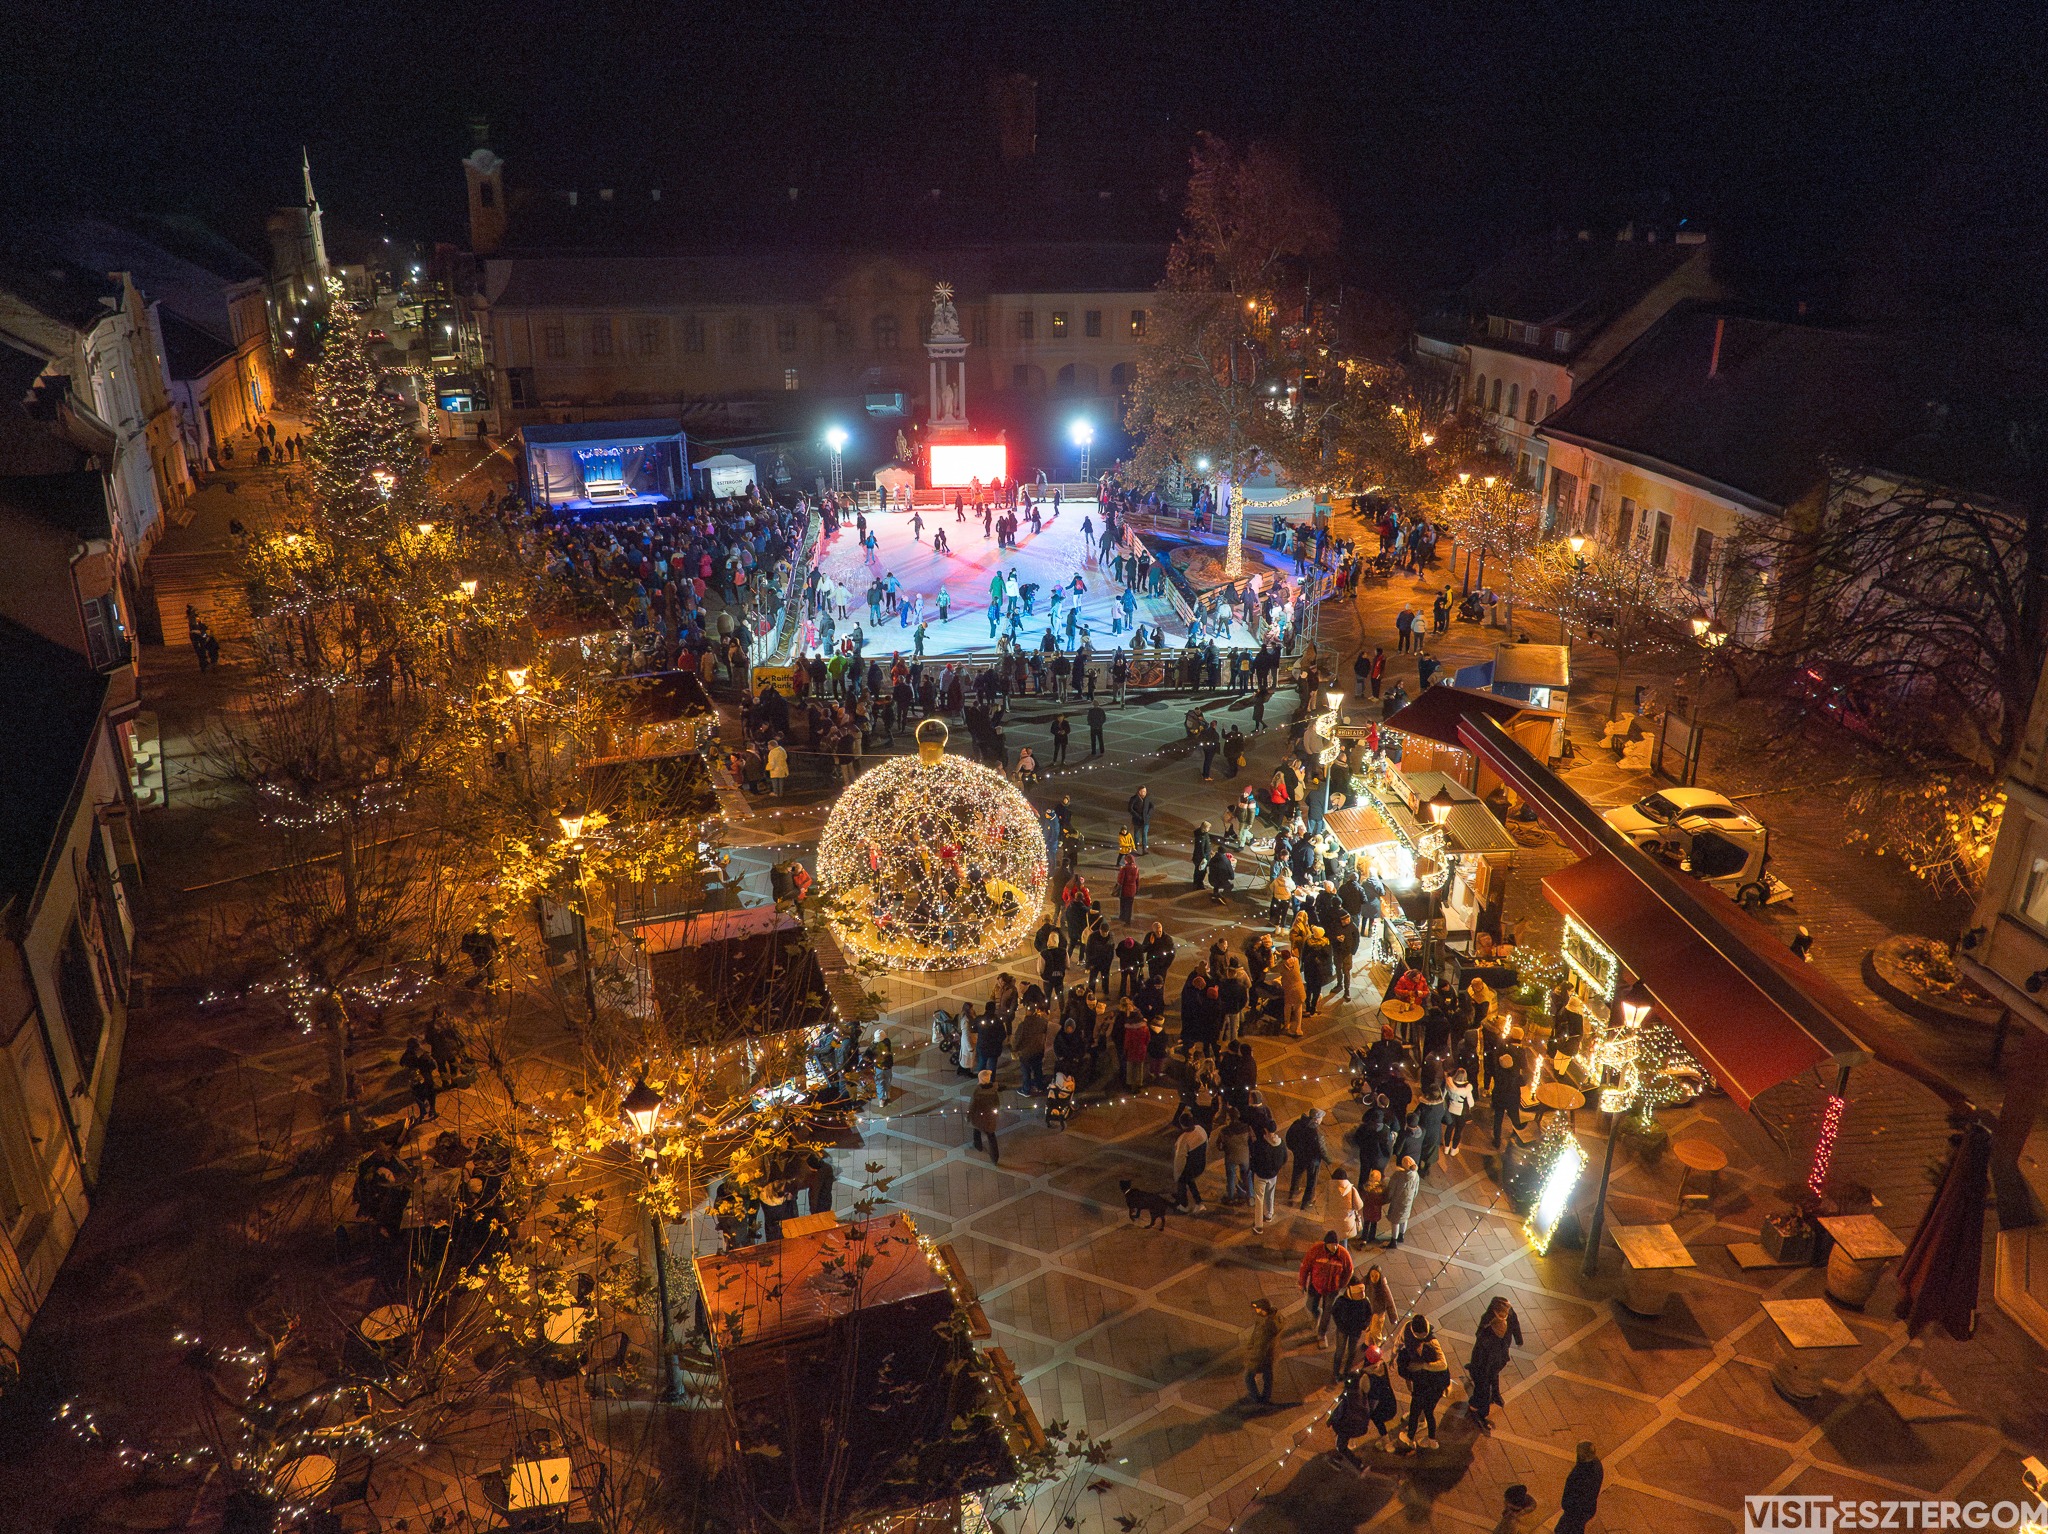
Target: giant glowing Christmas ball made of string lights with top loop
(933,861)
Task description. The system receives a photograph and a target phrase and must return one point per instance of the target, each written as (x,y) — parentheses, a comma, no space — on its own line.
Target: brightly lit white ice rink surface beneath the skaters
(966,572)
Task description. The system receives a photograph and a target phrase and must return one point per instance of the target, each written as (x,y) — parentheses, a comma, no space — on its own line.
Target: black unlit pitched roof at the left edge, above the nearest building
(52,701)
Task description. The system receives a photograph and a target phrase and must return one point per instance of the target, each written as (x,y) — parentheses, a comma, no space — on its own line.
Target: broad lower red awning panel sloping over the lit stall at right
(1732,1025)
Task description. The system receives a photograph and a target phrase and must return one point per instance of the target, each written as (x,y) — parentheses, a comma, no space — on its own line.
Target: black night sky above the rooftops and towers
(1863,157)
